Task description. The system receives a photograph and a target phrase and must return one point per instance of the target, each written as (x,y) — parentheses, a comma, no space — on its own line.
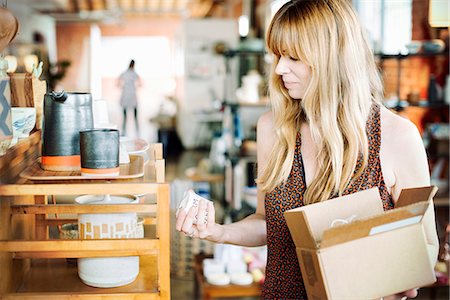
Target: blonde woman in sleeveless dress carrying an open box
(327,135)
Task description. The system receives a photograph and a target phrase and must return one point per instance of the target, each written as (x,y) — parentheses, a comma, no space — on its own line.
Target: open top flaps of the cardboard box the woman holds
(310,225)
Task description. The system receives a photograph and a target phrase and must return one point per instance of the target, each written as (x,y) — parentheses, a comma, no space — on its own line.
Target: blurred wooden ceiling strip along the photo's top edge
(85,10)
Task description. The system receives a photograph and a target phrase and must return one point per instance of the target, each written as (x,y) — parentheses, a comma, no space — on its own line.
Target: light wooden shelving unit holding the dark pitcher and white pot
(33,266)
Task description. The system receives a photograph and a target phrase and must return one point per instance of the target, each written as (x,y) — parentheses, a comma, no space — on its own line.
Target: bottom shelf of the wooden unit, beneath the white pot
(58,279)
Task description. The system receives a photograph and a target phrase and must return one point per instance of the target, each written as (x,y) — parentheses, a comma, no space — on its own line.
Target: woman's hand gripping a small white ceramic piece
(199,222)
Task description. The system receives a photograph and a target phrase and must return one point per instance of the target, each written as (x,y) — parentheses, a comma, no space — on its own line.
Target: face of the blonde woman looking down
(295,74)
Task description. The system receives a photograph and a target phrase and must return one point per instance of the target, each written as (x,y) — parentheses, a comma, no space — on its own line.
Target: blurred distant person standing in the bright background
(129,81)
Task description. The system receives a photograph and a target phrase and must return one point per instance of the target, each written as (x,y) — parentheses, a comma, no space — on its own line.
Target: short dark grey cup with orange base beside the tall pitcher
(99,149)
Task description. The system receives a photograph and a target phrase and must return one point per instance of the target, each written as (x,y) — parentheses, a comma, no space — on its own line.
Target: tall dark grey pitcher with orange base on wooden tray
(65,115)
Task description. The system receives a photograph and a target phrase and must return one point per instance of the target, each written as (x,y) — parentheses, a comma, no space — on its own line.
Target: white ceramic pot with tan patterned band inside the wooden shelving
(106,272)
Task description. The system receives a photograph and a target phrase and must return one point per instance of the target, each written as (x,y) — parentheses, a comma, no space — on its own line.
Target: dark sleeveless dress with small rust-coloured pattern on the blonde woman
(283,276)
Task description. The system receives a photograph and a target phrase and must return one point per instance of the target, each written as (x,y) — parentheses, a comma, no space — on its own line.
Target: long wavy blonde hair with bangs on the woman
(325,35)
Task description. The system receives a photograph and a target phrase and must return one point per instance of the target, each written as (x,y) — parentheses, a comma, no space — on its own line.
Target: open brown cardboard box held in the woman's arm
(378,253)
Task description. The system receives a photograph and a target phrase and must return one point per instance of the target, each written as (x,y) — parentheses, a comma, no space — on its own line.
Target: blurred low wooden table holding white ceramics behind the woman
(208,291)
